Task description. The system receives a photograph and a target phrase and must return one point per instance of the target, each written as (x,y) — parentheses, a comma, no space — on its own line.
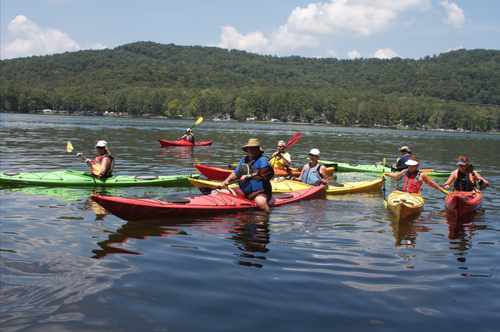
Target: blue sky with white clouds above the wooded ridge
(343,29)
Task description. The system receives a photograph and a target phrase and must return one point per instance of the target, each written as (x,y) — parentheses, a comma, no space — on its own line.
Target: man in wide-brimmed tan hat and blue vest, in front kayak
(256,189)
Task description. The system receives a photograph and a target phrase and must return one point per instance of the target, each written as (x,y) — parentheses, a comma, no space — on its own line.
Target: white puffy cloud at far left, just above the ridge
(35,40)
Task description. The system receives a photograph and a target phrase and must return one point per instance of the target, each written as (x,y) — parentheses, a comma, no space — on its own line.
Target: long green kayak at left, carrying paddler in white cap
(76,178)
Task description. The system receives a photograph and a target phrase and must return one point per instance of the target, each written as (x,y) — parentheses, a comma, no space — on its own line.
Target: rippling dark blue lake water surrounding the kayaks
(334,263)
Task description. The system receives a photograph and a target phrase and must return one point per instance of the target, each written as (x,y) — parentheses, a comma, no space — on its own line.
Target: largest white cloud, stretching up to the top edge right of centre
(319,23)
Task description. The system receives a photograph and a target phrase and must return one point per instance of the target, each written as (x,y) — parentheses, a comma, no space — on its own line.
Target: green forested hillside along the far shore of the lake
(155,79)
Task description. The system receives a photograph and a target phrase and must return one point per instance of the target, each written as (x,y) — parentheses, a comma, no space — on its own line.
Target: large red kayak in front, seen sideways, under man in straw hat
(135,209)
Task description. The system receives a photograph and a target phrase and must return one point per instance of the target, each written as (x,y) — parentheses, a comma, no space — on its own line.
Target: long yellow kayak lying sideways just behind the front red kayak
(284,186)
